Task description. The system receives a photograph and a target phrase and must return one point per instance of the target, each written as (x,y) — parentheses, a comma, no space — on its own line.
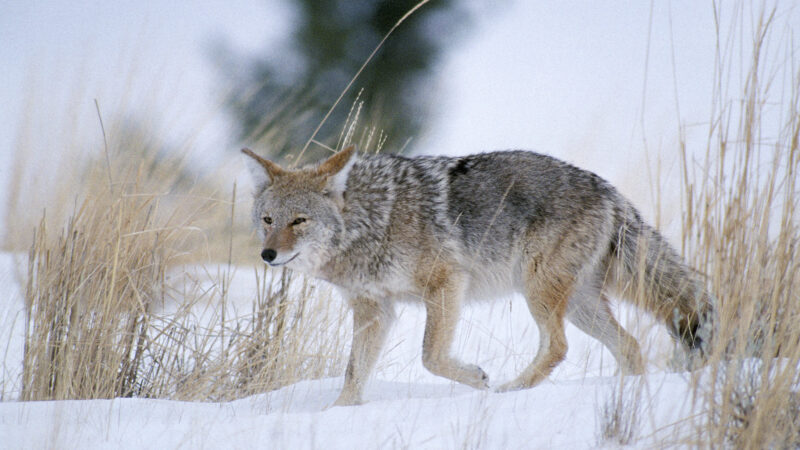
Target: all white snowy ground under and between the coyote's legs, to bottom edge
(406,406)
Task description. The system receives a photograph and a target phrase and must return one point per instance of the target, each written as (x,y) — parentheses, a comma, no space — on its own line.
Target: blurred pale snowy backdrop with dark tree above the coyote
(614,87)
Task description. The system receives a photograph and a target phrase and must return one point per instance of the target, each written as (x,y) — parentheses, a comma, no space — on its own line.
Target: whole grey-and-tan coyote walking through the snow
(446,230)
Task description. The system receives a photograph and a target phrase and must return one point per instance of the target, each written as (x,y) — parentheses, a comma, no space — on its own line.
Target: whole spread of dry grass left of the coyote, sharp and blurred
(112,309)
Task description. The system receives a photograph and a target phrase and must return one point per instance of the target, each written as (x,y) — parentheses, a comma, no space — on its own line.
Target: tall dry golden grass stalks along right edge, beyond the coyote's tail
(741,231)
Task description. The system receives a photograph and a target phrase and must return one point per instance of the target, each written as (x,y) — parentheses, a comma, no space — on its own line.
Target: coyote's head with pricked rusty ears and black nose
(298,212)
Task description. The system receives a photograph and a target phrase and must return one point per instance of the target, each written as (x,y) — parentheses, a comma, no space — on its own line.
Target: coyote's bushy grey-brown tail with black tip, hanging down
(645,270)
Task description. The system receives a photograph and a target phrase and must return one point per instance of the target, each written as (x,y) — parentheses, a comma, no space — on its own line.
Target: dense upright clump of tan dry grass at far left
(89,296)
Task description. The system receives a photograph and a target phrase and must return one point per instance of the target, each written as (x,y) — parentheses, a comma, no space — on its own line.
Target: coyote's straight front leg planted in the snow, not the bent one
(371,321)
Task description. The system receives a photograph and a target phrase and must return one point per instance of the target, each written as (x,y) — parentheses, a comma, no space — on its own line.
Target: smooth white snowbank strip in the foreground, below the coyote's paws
(554,415)
